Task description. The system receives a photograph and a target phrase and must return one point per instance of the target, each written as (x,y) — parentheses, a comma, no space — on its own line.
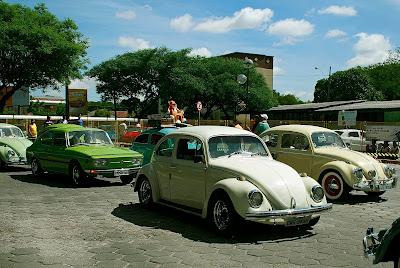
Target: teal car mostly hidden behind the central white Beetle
(146,141)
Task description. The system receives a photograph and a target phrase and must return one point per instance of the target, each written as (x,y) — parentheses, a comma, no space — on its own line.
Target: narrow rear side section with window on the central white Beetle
(162,166)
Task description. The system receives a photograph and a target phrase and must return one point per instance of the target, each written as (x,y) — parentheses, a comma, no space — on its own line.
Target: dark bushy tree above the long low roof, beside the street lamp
(352,84)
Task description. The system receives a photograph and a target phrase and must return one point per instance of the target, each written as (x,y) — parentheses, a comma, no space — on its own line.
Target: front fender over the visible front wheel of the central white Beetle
(238,191)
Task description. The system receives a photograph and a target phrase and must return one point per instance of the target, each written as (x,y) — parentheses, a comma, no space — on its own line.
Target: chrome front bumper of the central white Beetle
(287,213)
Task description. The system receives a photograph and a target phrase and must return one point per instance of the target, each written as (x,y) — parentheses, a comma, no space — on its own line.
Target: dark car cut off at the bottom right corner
(383,246)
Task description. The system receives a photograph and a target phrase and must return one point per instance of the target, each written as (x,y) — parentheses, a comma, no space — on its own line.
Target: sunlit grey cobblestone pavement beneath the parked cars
(47,223)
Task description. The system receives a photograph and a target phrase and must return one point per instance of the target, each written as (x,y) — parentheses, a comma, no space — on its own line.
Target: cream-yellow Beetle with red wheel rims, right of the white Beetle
(323,155)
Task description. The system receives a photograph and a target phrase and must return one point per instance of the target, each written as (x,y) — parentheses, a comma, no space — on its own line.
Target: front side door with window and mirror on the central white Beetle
(188,178)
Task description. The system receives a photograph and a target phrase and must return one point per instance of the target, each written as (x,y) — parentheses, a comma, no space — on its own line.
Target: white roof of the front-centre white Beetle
(209,131)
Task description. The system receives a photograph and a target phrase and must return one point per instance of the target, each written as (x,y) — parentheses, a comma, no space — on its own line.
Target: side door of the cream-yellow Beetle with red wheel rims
(295,151)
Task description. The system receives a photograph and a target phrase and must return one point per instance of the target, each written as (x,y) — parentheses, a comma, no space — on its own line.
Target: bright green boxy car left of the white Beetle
(82,153)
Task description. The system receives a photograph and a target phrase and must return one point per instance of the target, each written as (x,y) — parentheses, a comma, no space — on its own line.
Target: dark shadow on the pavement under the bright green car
(60,181)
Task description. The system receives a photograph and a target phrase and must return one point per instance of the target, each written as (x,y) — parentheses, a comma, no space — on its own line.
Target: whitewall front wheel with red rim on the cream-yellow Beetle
(334,186)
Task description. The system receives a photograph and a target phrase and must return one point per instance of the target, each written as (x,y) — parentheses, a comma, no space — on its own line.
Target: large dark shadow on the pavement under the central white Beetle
(197,229)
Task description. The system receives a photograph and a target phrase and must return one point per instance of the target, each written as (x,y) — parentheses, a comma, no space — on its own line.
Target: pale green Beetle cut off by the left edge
(13,144)
